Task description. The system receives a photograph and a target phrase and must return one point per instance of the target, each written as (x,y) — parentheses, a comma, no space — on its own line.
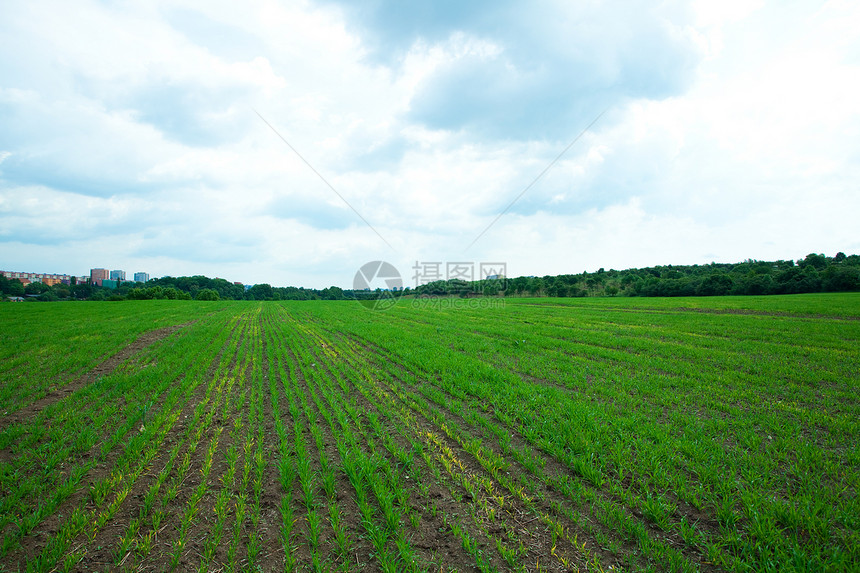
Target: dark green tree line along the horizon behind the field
(814,273)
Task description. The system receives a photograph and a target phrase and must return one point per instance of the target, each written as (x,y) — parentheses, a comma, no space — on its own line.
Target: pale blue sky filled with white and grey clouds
(292,142)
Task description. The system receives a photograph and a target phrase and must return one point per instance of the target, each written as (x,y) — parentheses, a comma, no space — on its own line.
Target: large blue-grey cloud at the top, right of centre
(501,71)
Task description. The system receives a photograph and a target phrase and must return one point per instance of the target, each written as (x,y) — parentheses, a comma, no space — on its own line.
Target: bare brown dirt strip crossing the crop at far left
(105,368)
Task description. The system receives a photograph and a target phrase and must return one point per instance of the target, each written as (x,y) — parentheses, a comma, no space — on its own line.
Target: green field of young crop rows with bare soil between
(709,434)
